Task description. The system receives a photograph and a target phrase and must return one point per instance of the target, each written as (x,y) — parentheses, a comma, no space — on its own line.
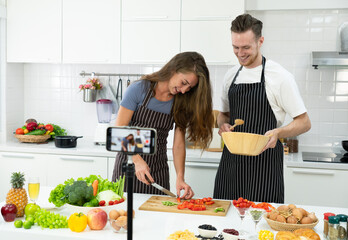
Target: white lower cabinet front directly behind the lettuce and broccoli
(63,167)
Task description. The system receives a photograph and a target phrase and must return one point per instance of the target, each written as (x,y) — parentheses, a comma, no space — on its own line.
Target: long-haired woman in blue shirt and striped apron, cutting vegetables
(179,93)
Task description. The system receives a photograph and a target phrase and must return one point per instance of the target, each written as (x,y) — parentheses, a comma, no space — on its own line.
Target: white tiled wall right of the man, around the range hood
(290,36)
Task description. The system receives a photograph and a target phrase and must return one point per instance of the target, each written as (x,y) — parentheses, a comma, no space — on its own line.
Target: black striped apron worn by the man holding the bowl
(256,178)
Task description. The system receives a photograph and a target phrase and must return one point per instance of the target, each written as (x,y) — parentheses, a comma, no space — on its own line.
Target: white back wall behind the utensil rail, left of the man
(51,92)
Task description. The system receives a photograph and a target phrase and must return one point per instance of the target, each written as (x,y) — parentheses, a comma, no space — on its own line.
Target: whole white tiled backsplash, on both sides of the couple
(49,92)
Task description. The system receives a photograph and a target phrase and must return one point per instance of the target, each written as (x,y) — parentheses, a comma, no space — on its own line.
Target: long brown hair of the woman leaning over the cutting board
(192,111)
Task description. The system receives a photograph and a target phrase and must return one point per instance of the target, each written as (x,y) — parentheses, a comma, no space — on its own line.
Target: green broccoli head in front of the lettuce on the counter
(78,193)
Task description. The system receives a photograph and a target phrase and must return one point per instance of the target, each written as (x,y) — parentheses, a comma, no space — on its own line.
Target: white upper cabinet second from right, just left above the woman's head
(150,31)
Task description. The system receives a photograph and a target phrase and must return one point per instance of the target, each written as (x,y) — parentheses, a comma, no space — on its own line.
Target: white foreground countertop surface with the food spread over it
(150,225)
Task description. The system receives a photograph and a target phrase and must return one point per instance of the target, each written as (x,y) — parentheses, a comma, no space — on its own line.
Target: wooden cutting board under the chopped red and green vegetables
(154,203)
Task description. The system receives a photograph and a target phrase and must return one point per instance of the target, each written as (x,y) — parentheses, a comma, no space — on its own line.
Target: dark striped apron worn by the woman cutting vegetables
(158,162)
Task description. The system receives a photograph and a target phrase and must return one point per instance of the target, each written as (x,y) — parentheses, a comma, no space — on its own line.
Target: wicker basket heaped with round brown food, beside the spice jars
(290,218)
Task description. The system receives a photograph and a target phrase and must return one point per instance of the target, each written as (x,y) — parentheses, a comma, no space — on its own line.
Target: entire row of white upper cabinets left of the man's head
(127,32)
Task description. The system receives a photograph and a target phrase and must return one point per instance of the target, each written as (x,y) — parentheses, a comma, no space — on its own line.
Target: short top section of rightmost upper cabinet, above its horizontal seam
(208,10)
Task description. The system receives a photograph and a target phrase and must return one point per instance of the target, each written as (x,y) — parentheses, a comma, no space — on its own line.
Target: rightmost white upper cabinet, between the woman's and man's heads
(205,28)
